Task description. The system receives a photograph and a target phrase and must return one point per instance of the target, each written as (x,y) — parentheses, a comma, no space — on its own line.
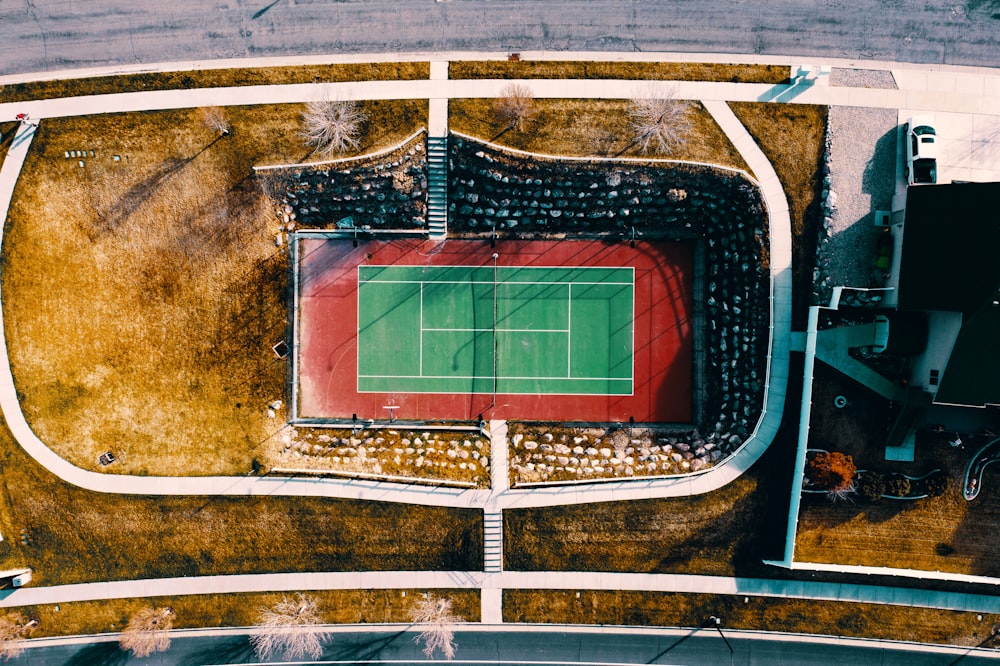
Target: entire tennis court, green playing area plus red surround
(556,330)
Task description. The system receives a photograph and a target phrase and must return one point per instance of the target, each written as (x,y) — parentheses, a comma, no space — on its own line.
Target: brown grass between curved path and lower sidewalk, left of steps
(80,536)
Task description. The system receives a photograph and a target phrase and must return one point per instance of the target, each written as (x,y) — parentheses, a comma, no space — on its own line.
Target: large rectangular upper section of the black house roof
(951,243)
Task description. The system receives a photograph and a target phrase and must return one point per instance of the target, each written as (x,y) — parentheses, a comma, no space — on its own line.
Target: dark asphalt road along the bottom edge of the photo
(702,647)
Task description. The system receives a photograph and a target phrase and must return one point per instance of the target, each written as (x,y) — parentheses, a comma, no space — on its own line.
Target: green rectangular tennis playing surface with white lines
(476,329)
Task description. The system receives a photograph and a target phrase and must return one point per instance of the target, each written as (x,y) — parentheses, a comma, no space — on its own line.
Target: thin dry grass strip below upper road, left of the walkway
(215,78)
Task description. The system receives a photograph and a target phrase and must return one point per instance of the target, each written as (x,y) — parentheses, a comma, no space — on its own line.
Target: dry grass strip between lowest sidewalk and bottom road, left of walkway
(240,610)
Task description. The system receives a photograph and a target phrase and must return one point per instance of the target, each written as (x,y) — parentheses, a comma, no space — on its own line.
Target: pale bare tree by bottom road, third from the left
(289,629)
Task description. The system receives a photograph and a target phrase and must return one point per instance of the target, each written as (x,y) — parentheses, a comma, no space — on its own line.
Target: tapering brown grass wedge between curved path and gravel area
(791,136)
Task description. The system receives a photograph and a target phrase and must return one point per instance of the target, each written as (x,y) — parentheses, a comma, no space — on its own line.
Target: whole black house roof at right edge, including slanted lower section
(951,261)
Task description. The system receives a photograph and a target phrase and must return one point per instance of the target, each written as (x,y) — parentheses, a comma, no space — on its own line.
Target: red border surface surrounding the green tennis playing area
(327,330)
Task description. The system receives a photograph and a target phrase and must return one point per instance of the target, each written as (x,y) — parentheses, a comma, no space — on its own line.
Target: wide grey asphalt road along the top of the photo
(39,35)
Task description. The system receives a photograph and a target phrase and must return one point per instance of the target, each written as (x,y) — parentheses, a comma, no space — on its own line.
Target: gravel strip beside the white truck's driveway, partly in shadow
(861,147)
